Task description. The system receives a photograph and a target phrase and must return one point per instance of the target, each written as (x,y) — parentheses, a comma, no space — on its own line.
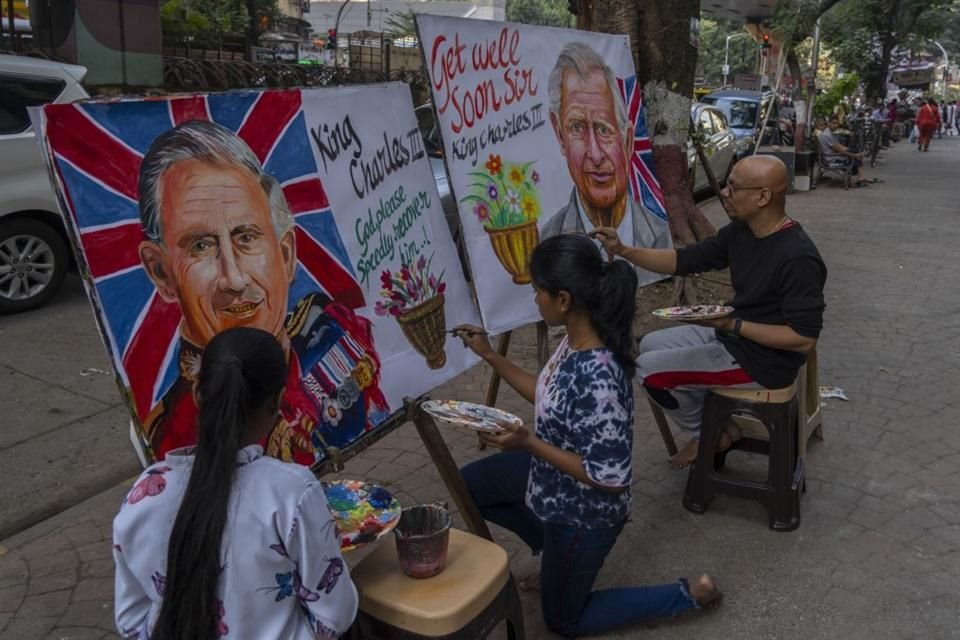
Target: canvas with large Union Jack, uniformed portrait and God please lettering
(304,213)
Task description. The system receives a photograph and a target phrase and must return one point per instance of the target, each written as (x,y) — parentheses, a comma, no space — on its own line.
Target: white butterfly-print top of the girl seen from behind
(283,575)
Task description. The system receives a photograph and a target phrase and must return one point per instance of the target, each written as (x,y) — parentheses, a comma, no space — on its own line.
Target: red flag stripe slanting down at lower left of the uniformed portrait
(147,349)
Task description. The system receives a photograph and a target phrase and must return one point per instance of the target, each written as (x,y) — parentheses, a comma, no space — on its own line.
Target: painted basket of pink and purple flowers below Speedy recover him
(414,296)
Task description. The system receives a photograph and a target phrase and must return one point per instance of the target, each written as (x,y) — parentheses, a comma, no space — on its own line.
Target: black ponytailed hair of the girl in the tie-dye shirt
(606,291)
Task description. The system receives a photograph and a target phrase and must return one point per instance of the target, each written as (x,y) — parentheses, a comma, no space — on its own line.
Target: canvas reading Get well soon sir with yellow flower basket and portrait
(544,132)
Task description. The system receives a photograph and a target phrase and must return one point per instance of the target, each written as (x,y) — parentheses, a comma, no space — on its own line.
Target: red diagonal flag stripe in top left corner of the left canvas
(91,149)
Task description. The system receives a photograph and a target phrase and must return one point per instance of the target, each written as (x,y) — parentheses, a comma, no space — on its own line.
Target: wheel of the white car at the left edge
(33,263)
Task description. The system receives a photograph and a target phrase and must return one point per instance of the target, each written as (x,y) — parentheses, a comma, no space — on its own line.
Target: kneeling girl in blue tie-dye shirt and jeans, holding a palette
(564,489)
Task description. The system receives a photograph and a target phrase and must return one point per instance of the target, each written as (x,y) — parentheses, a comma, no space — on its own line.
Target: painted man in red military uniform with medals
(220,243)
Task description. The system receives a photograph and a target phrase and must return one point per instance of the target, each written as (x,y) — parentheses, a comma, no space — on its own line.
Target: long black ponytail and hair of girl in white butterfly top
(242,372)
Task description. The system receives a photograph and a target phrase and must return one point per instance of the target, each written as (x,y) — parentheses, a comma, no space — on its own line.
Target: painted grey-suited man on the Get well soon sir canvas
(590,120)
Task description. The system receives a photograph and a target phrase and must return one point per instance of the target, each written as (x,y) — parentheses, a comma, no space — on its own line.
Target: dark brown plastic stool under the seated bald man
(775,409)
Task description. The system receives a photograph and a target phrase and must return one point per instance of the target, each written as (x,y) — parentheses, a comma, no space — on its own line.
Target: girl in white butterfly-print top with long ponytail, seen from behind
(218,540)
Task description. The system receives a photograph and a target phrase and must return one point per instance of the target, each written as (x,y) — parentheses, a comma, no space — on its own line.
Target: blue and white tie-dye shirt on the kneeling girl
(584,404)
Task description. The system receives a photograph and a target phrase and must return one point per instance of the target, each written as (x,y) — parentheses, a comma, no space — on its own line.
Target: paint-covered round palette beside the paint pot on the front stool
(363,512)
